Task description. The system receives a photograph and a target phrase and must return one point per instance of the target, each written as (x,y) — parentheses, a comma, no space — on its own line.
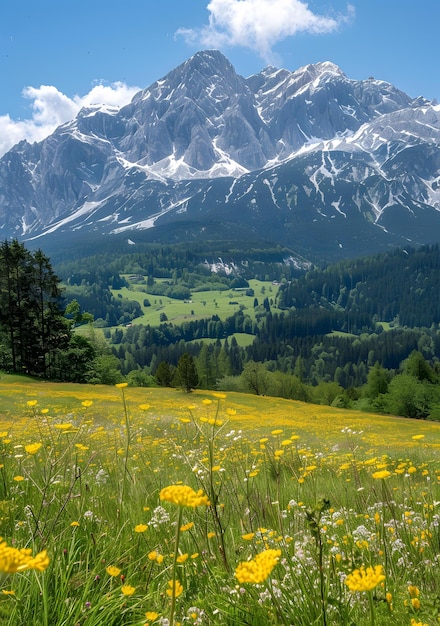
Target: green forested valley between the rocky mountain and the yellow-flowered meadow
(363,332)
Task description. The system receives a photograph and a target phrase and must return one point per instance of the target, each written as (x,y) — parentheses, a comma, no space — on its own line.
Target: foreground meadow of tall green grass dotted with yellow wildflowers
(159,507)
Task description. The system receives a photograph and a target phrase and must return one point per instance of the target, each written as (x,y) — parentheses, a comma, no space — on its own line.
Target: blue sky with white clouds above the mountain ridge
(56,56)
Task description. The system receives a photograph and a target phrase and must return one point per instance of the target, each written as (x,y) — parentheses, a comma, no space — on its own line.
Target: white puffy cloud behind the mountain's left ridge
(51,108)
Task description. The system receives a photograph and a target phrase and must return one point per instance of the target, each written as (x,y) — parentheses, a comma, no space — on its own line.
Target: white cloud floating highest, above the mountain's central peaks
(260,24)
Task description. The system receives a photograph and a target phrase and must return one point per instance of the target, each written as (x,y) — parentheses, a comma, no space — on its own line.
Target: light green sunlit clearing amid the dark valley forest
(203,304)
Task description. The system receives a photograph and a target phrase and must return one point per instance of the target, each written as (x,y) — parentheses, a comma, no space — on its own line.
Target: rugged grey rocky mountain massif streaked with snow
(328,166)
